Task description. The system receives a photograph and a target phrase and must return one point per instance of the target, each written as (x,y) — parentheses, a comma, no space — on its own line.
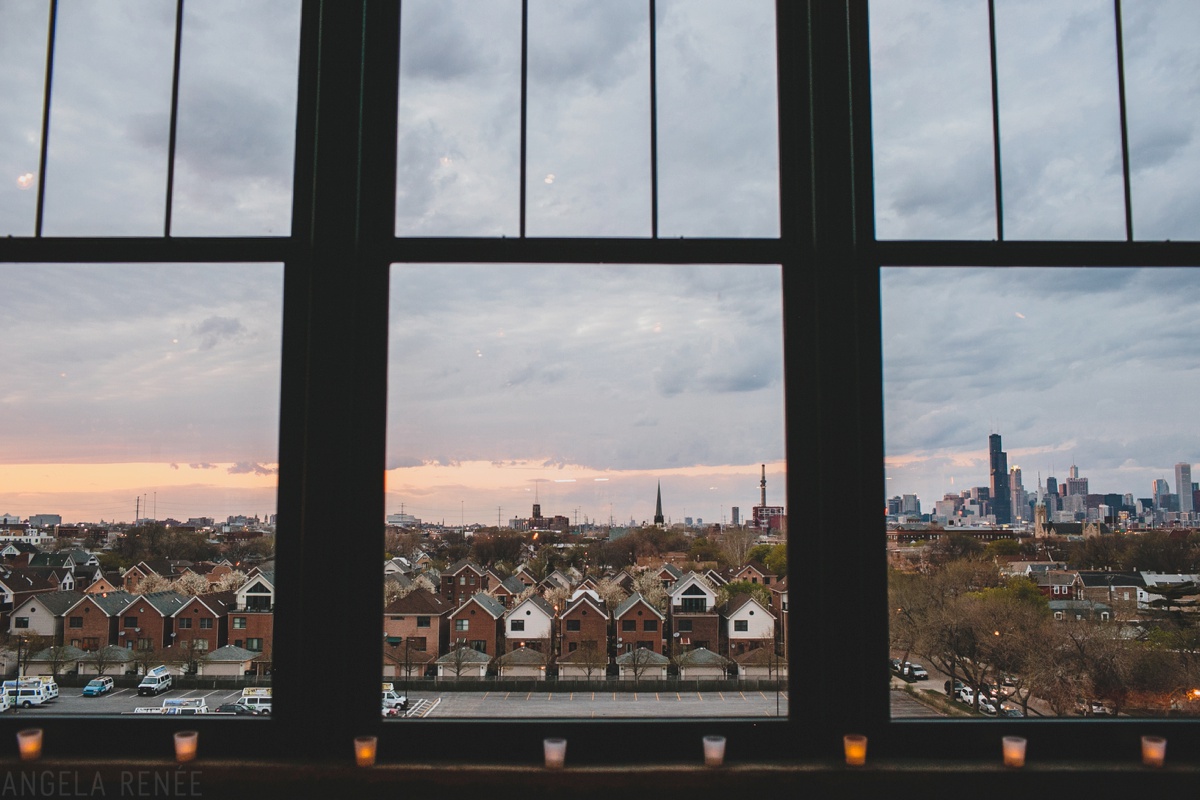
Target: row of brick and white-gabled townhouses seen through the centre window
(479,611)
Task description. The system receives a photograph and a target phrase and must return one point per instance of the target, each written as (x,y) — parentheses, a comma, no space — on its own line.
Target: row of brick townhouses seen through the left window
(166,622)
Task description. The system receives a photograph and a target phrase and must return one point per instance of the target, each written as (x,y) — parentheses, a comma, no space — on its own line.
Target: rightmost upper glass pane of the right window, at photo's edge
(1161,69)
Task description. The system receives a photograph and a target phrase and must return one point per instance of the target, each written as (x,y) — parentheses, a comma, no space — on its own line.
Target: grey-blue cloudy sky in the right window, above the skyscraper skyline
(1090,368)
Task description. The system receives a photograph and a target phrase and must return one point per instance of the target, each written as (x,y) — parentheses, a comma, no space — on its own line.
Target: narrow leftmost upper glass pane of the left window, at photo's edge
(22,81)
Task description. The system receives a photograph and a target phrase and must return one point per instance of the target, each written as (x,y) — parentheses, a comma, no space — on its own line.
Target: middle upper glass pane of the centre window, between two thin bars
(589,161)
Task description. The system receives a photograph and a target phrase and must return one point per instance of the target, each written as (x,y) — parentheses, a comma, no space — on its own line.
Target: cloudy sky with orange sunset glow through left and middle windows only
(585,387)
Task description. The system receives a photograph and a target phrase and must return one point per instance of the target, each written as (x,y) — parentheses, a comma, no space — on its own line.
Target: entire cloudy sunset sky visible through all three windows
(587,387)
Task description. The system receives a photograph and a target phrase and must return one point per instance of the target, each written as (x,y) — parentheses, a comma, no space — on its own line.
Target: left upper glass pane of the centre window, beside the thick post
(460,119)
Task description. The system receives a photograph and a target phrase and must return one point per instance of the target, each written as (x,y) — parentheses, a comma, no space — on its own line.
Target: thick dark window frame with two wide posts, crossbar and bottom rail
(337,266)
